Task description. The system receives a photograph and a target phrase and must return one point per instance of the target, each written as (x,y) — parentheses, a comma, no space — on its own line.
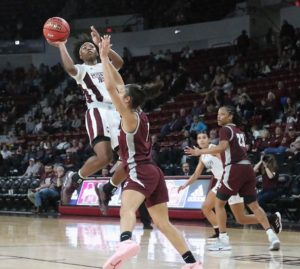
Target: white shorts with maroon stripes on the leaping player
(103,120)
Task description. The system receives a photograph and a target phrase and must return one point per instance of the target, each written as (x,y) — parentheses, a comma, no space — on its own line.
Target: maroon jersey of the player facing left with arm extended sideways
(236,151)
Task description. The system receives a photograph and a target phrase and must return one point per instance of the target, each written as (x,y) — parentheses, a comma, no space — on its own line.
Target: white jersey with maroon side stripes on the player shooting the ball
(91,80)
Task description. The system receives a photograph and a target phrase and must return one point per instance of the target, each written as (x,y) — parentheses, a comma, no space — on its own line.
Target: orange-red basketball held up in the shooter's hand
(56,29)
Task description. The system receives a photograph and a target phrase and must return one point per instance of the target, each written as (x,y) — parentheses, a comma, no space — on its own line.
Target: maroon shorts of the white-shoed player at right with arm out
(238,179)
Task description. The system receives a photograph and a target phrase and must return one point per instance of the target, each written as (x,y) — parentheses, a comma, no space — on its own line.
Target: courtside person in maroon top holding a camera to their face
(267,167)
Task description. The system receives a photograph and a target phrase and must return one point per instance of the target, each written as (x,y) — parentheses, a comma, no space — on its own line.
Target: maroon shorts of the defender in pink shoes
(149,180)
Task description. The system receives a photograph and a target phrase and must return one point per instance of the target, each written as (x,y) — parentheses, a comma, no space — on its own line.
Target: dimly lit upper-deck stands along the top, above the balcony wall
(154,14)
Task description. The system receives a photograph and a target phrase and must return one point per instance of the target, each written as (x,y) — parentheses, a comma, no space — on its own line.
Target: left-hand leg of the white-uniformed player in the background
(207,210)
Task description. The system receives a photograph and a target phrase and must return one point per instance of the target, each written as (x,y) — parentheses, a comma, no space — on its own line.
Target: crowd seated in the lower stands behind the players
(49,128)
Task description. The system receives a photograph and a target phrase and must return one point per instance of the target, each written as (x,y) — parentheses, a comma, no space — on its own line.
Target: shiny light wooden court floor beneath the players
(83,243)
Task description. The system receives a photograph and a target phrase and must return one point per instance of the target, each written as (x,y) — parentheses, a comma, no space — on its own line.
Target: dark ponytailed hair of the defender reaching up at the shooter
(140,94)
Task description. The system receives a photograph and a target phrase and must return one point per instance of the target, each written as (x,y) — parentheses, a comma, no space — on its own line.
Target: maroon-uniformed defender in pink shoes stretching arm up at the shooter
(145,181)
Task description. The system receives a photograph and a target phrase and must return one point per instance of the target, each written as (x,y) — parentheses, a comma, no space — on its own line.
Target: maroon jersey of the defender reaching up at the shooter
(136,147)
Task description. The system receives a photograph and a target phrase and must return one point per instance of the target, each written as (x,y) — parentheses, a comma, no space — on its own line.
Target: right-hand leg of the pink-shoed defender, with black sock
(160,217)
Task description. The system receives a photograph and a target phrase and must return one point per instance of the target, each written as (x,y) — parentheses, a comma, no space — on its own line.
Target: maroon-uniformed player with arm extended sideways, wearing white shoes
(239,177)
